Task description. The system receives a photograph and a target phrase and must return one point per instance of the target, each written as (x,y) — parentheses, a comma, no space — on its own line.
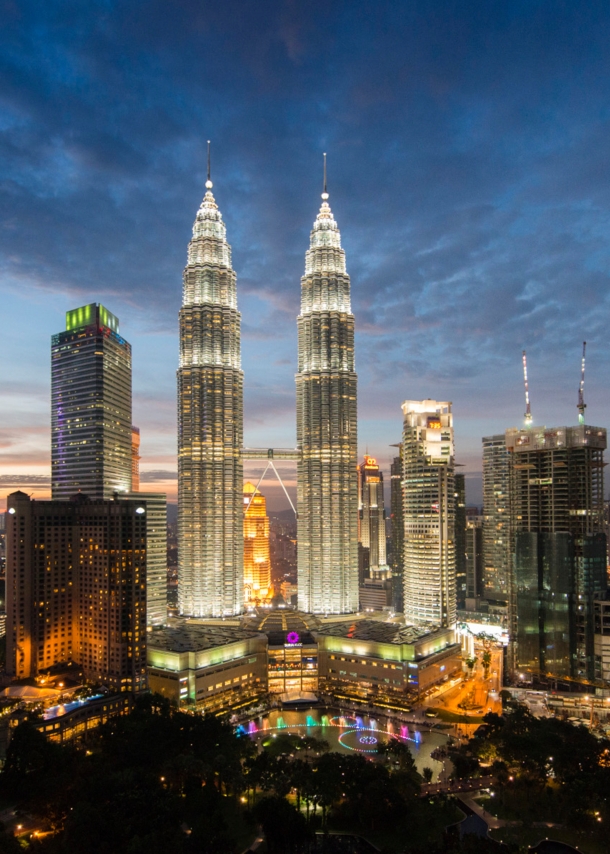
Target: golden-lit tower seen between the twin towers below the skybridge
(257,563)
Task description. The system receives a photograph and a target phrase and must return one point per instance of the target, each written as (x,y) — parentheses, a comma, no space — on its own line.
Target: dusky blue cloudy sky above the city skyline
(469,171)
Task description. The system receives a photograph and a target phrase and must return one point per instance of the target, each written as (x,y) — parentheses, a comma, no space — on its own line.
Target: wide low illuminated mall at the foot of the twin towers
(288,657)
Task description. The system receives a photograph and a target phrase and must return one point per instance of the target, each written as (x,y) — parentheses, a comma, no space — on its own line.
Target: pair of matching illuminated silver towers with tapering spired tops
(210,427)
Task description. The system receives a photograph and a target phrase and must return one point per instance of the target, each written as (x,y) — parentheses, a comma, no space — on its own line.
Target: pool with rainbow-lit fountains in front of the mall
(347,733)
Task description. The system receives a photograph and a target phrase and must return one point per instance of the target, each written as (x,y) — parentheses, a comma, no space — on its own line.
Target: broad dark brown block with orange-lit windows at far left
(76,588)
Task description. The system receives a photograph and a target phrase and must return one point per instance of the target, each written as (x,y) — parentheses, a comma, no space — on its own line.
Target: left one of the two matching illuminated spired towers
(210,426)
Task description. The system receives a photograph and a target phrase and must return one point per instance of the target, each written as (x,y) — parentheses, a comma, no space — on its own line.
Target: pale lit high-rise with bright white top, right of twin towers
(429,513)
